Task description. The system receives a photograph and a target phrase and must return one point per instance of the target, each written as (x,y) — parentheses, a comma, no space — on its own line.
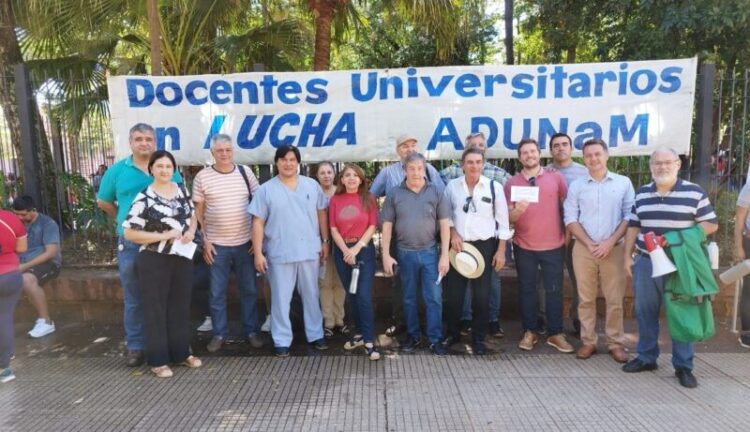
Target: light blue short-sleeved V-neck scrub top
(292,230)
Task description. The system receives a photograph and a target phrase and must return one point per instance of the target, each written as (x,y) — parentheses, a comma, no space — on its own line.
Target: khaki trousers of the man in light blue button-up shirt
(608,274)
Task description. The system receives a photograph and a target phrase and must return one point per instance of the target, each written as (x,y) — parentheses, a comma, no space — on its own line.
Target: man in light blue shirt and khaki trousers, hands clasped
(596,212)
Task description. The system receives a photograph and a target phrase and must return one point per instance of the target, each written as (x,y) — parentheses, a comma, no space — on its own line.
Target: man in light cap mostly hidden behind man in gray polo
(387,179)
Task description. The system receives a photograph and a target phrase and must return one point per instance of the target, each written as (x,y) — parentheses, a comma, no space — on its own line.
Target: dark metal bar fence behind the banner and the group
(81,147)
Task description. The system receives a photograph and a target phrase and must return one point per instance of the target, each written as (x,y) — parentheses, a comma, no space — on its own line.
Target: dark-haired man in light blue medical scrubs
(290,240)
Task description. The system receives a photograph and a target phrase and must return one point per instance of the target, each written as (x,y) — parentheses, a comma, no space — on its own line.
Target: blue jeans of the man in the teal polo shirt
(127,252)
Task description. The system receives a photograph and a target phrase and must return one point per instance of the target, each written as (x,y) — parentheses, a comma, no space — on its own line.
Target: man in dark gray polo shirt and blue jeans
(420,213)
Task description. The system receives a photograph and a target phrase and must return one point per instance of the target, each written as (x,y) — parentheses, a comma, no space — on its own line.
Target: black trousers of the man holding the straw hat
(455,286)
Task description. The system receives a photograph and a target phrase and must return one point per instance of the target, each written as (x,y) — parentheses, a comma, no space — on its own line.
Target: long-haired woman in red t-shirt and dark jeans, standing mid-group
(352,215)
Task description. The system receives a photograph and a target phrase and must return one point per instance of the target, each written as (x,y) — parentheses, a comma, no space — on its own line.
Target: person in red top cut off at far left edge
(12,242)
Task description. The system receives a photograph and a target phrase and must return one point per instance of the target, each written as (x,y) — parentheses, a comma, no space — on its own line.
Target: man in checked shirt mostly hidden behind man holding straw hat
(492,172)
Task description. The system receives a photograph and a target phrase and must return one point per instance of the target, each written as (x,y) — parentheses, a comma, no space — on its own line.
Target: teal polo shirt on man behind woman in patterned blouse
(121,183)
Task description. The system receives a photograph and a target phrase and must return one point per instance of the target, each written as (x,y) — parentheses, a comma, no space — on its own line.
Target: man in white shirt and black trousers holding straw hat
(479,214)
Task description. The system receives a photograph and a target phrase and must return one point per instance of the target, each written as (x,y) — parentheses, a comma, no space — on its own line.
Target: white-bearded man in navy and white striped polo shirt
(666,204)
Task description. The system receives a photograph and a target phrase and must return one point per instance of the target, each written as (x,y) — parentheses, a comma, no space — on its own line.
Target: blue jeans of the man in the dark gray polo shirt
(419,269)
